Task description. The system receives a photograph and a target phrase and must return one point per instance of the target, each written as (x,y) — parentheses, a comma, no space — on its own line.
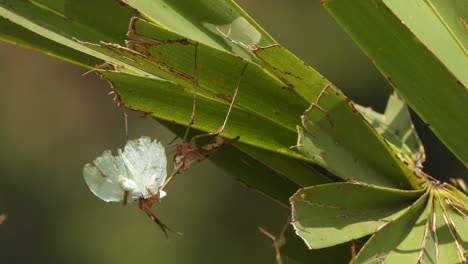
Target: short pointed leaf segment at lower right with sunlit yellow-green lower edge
(330,214)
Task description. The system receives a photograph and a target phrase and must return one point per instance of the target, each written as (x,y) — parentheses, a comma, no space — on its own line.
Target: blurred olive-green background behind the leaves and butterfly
(53,121)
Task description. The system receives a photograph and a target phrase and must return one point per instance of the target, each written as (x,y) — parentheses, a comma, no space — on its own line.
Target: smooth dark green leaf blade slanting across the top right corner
(433,91)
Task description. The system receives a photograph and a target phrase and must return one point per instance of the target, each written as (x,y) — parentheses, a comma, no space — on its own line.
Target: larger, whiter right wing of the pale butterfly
(146,162)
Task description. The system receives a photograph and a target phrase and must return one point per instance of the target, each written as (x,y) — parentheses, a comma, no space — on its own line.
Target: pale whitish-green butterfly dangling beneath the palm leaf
(136,173)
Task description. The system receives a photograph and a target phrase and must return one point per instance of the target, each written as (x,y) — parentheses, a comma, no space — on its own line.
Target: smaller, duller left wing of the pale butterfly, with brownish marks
(102,179)
